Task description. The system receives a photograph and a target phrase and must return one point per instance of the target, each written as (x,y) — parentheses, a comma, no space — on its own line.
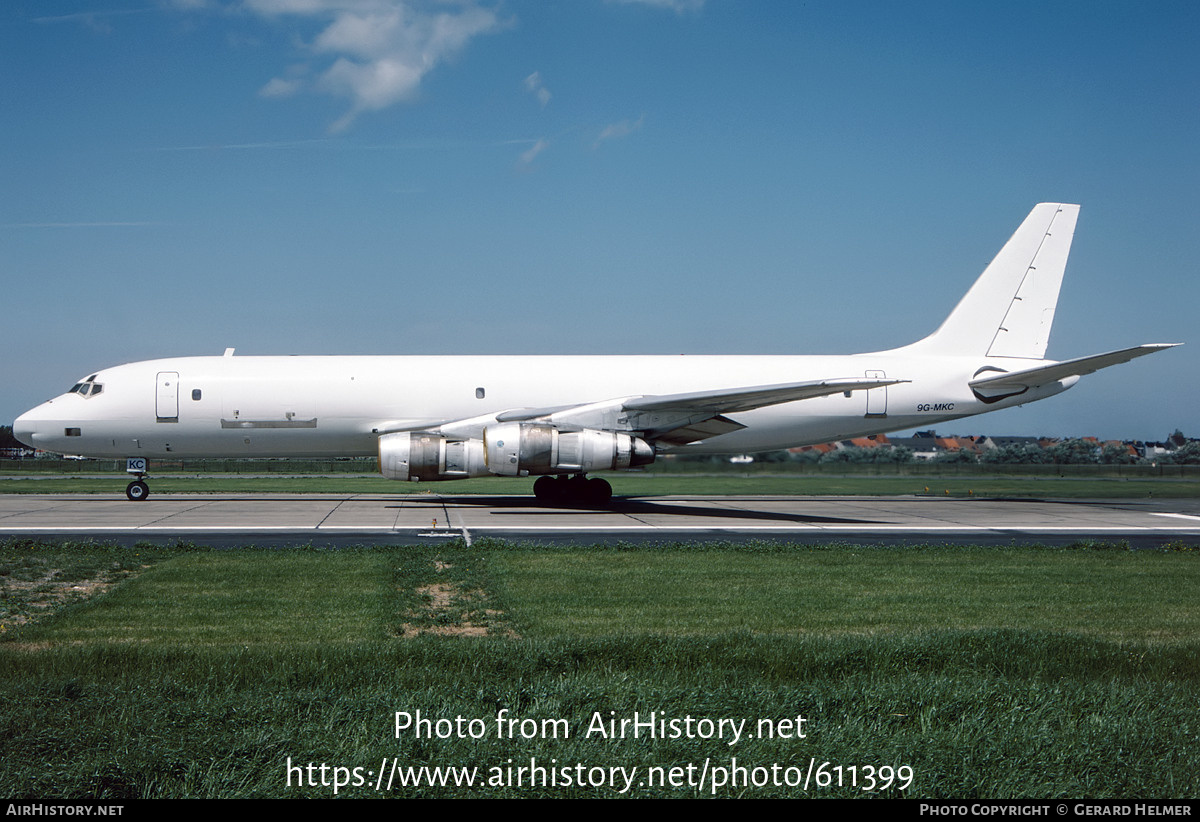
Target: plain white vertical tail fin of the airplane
(1010,310)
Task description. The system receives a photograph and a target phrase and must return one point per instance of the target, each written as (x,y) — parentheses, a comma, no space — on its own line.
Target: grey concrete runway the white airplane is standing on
(374,519)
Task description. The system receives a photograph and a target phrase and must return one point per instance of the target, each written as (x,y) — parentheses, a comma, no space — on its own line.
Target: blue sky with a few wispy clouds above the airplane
(351,177)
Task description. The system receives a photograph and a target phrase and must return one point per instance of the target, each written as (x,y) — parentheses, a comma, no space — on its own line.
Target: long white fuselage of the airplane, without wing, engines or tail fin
(339,406)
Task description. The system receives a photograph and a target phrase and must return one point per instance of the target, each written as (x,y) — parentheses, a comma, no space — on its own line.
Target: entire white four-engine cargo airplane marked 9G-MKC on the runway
(446,418)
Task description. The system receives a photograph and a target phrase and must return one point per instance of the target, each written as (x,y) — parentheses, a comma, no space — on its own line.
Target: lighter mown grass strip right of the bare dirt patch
(847,590)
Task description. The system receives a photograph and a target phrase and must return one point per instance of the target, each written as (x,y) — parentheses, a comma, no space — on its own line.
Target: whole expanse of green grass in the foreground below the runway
(1021,673)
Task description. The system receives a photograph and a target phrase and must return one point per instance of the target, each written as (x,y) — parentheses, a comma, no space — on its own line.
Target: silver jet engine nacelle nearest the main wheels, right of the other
(519,449)
